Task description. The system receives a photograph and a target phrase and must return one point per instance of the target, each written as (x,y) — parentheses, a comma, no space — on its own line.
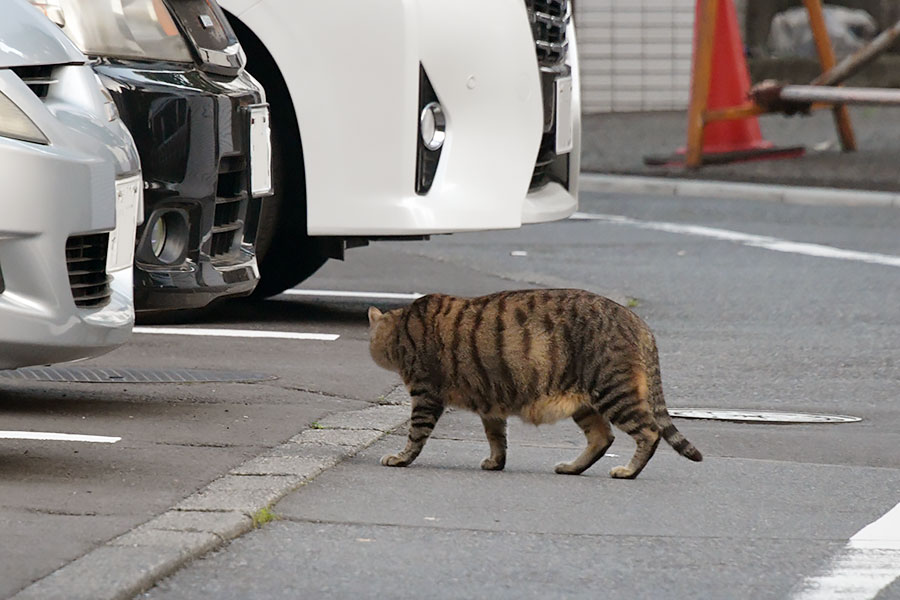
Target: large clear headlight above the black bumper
(141,29)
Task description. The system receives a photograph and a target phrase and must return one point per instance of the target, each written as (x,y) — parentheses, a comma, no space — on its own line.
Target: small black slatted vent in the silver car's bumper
(86,263)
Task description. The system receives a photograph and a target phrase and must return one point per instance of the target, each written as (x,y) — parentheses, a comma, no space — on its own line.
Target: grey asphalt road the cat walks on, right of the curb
(738,327)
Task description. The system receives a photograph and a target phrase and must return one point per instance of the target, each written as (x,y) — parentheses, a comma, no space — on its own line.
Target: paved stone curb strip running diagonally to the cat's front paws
(225,509)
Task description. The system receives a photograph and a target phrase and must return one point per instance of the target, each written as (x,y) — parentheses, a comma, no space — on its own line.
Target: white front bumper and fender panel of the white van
(358,109)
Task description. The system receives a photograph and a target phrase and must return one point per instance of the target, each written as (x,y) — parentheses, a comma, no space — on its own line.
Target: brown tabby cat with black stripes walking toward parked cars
(541,355)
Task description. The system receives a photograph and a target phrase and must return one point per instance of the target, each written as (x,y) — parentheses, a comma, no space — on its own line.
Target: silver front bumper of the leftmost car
(56,196)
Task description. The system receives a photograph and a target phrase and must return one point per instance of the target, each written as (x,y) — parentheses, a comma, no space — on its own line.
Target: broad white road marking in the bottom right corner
(869,563)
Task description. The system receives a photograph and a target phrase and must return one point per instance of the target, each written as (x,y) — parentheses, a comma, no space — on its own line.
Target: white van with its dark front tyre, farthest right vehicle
(406,118)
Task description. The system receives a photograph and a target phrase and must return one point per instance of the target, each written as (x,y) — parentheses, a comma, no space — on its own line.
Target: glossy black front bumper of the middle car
(191,132)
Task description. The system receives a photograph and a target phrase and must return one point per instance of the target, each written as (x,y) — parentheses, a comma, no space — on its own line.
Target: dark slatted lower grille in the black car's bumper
(231,208)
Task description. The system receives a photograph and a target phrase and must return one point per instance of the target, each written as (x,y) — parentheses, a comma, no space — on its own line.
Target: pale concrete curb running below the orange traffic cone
(787,194)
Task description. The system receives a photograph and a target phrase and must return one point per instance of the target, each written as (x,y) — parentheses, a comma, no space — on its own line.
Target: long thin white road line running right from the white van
(747,239)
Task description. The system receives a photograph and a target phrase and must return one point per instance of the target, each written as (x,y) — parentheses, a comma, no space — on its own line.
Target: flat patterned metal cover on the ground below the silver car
(126,375)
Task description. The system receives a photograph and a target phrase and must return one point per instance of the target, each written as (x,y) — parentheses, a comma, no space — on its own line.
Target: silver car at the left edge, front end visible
(70,198)
